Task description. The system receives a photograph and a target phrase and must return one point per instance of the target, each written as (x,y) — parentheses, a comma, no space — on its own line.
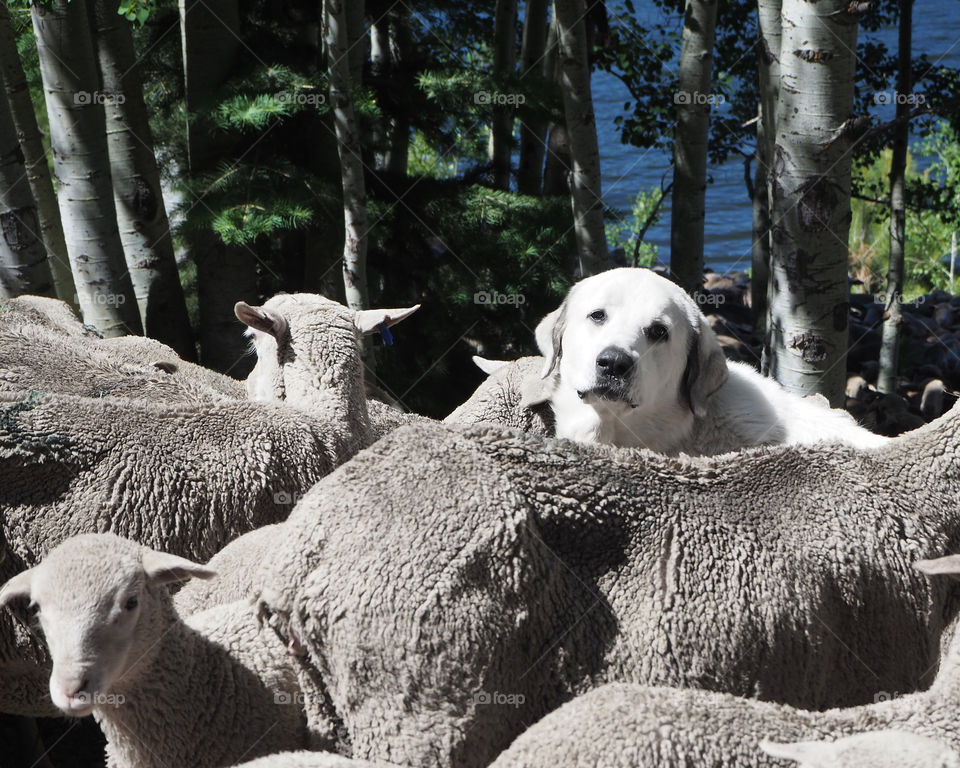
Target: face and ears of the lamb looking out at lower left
(100,604)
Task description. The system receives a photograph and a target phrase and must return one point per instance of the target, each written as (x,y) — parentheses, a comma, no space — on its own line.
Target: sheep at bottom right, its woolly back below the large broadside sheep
(670,728)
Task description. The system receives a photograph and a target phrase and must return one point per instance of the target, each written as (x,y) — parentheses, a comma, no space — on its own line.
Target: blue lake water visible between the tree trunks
(727,235)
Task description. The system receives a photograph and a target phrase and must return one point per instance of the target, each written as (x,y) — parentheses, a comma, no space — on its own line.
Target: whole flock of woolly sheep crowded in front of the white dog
(366,587)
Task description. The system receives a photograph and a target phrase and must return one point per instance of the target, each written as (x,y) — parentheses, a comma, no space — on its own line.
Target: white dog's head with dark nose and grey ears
(633,337)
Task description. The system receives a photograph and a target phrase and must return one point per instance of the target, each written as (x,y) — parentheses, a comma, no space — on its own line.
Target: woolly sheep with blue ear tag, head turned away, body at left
(187,477)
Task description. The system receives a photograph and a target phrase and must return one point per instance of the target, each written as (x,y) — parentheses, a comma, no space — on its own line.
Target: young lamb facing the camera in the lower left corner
(204,692)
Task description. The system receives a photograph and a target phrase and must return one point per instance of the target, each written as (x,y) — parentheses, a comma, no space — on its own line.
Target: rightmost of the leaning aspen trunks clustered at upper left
(141,216)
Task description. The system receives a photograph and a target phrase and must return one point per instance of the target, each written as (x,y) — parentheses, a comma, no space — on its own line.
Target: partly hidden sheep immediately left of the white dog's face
(511,396)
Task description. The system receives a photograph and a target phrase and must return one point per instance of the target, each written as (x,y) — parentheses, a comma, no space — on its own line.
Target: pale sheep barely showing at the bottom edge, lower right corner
(877,749)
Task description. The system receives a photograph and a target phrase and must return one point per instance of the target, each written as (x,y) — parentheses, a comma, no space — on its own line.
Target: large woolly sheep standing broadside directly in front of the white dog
(444,567)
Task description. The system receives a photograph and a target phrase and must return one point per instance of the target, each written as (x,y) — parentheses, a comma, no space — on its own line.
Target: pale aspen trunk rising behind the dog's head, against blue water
(692,100)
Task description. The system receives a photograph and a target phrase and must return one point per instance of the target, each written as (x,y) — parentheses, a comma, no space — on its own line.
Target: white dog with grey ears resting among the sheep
(631,361)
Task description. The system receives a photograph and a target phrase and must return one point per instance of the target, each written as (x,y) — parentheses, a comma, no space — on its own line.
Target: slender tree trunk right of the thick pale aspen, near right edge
(890,344)
